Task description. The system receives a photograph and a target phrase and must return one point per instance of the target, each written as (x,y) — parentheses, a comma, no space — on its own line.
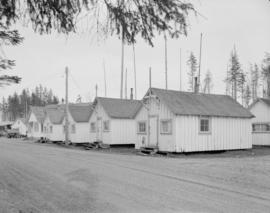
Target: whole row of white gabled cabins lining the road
(169,120)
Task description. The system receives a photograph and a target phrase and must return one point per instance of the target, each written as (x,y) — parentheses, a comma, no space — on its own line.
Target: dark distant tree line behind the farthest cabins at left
(18,105)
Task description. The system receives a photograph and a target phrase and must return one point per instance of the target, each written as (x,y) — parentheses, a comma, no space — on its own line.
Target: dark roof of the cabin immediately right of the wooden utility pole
(80,112)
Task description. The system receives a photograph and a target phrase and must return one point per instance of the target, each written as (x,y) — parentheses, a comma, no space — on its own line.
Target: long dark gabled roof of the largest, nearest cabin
(188,103)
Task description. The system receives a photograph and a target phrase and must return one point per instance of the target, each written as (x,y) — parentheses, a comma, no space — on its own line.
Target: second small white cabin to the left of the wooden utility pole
(35,121)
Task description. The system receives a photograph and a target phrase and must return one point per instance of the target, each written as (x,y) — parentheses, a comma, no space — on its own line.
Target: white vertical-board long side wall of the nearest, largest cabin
(226,134)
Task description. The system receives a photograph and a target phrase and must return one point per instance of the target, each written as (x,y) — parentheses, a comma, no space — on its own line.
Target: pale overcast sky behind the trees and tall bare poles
(42,59)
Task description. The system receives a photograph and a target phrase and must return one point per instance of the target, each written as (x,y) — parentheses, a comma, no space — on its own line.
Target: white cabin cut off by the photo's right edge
(261,122)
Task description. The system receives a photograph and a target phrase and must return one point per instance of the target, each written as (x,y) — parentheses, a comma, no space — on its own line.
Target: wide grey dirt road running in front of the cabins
(44,178)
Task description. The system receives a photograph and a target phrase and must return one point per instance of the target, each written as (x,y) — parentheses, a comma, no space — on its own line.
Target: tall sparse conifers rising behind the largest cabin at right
(245,86)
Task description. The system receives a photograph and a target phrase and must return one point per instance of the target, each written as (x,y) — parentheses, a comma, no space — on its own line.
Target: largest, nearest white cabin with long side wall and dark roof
(192,122)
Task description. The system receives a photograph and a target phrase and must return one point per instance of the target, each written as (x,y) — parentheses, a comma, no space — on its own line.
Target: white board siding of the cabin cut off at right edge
(261,111)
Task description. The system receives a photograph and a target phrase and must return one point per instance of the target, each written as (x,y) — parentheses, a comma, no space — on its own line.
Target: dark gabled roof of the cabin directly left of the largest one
(119,108)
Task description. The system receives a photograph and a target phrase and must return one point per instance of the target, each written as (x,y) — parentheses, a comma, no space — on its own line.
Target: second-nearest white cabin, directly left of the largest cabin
(112,121)
